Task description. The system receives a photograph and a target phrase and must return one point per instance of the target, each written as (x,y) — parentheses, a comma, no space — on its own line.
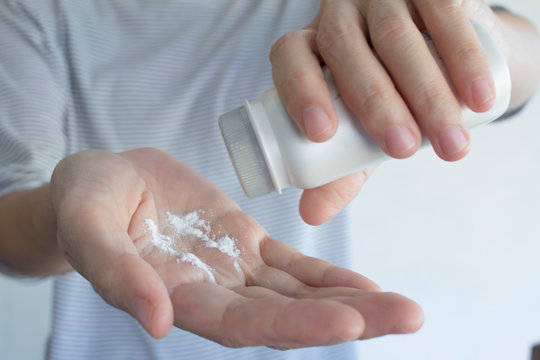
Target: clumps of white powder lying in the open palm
(192,225)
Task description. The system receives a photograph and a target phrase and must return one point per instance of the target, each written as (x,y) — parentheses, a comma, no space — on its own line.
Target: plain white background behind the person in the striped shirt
(462,239)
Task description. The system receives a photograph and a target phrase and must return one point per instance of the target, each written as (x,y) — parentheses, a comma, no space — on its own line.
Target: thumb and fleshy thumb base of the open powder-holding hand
(92,195)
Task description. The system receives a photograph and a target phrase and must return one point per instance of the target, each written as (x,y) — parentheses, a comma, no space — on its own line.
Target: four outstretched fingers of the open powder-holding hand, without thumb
(292,301)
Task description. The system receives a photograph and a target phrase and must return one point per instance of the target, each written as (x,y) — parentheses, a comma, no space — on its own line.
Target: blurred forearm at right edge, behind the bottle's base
(521,45)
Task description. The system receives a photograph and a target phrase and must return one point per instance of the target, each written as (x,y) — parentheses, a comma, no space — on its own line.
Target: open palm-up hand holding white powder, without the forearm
(273,295)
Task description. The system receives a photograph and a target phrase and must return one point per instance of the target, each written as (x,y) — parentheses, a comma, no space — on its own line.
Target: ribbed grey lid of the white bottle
(245,152)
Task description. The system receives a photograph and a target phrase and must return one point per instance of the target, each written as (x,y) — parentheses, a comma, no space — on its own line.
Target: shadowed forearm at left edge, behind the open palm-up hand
(28,233)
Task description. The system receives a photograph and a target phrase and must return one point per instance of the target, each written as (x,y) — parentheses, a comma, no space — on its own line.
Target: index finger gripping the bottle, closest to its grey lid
(299,79)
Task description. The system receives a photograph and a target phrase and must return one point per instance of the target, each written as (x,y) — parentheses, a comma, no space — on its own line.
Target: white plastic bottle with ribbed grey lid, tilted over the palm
(268,150)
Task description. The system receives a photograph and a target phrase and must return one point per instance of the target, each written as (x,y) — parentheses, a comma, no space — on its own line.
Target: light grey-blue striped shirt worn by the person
(124,74)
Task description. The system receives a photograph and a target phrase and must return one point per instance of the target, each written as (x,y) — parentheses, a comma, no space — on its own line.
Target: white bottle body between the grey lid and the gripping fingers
(299,162)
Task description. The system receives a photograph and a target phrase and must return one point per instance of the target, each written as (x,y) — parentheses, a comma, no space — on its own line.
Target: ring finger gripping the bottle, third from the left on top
(416,74)
